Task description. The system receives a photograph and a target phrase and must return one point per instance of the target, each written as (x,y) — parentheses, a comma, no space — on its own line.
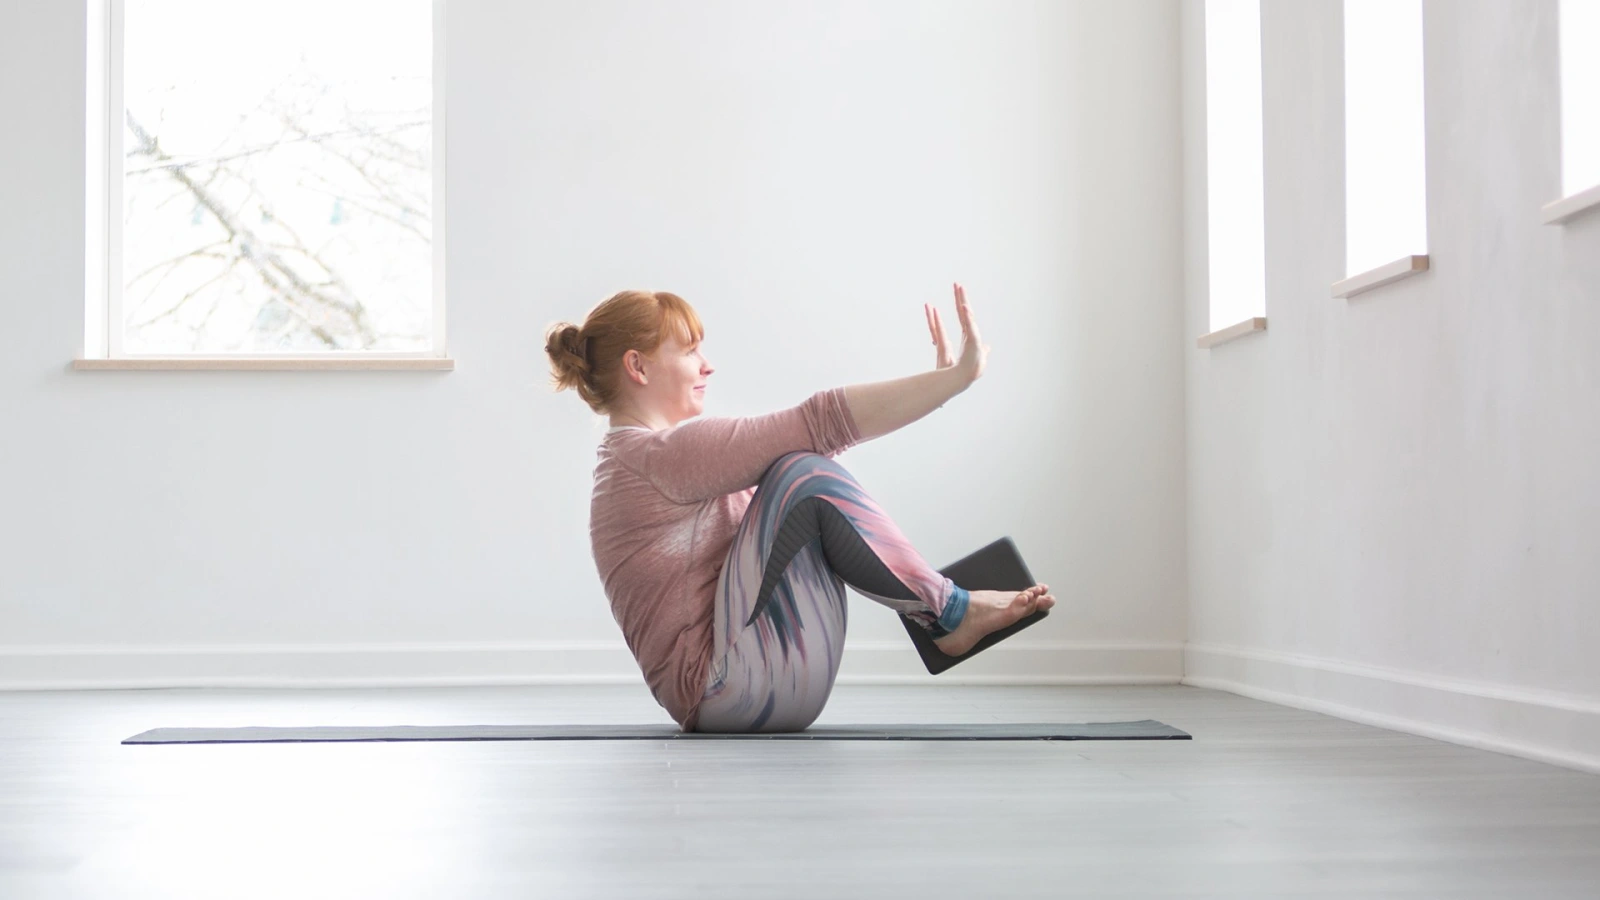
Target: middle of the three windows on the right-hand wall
(1385,147)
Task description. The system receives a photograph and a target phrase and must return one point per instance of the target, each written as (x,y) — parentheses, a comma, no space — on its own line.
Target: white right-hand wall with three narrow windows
(1394,500)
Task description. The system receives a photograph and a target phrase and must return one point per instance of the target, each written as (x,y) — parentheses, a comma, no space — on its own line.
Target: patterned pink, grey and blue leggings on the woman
(780,609)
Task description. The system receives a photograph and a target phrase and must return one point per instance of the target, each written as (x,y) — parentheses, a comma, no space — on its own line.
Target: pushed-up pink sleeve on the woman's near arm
(713,457)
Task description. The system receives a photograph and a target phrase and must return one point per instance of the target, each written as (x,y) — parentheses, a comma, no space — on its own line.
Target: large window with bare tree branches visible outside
(270,180)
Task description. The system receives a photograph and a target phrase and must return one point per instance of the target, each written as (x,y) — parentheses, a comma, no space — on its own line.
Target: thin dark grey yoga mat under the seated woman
(1146,729)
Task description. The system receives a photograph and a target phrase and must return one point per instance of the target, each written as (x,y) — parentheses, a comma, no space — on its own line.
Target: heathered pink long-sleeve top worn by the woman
(662,520)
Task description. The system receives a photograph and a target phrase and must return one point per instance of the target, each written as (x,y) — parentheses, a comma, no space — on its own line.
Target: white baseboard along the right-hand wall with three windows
(1551,728)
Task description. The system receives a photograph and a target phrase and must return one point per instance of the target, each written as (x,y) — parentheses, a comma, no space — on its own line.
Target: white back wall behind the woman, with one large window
(806,174)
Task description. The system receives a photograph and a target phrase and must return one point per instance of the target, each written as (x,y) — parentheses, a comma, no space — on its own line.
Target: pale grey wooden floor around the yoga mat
(1265,803)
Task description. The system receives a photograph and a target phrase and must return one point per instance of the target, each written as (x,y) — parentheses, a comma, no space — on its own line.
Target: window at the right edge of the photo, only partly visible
(1580,33)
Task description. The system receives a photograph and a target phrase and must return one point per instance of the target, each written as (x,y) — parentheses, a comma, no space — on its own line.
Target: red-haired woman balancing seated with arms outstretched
(726,544)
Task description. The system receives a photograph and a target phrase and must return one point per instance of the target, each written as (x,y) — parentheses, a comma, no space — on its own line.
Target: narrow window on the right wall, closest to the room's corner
(1234,169)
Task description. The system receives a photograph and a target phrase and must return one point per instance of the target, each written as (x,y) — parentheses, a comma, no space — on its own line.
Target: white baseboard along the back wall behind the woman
(530,664)
